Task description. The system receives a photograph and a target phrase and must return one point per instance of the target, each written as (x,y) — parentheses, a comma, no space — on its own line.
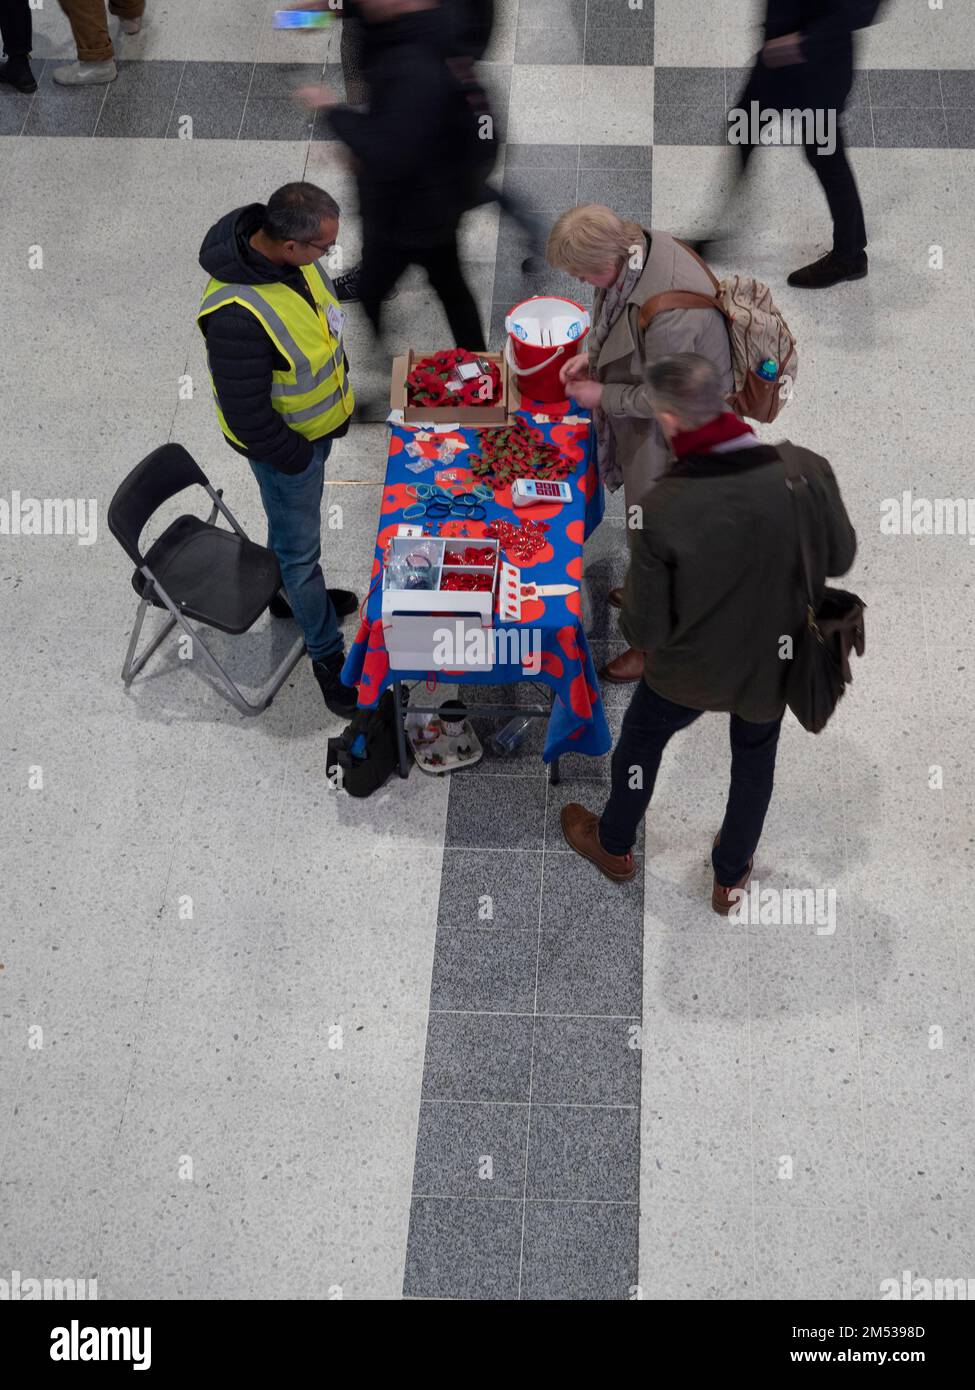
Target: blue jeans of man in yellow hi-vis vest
(293,504)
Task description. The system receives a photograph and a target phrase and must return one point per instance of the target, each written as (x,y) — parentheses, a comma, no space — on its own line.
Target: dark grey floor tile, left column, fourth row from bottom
(485,972)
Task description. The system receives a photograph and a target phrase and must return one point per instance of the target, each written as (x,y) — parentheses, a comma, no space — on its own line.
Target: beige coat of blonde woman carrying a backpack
(621,368)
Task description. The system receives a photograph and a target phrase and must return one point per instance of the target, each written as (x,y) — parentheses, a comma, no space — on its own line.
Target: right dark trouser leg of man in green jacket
(753,774)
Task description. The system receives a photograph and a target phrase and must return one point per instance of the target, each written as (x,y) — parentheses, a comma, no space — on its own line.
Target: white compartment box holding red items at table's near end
(412,619)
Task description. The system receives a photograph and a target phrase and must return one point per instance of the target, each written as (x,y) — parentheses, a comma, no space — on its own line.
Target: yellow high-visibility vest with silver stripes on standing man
(314,395)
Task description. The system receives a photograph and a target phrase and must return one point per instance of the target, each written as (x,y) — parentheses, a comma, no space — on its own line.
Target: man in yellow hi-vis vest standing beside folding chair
(280,379)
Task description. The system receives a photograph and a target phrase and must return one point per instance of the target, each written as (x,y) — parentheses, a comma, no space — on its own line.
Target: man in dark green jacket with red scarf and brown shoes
(716,600)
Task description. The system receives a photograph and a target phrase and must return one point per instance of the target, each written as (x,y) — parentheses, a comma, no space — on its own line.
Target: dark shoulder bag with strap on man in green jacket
(831,632)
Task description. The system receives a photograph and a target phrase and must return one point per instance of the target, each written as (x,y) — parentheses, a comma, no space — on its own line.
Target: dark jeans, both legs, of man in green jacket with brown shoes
(649,726)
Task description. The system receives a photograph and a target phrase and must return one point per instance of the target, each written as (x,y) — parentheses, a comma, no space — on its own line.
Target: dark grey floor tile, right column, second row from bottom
(585,1154)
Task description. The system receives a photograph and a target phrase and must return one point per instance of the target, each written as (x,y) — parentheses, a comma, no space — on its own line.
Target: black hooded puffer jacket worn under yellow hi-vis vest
(240,352)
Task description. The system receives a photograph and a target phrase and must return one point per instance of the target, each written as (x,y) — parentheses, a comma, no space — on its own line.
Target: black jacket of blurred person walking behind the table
(412,145)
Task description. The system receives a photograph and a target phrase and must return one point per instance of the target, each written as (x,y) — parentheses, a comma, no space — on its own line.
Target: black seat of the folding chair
(213,576)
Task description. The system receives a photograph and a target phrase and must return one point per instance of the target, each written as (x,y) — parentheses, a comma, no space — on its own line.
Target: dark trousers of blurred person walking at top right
(788,88)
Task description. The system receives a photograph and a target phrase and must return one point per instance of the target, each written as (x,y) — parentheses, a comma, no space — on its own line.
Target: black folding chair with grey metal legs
(195,569)
